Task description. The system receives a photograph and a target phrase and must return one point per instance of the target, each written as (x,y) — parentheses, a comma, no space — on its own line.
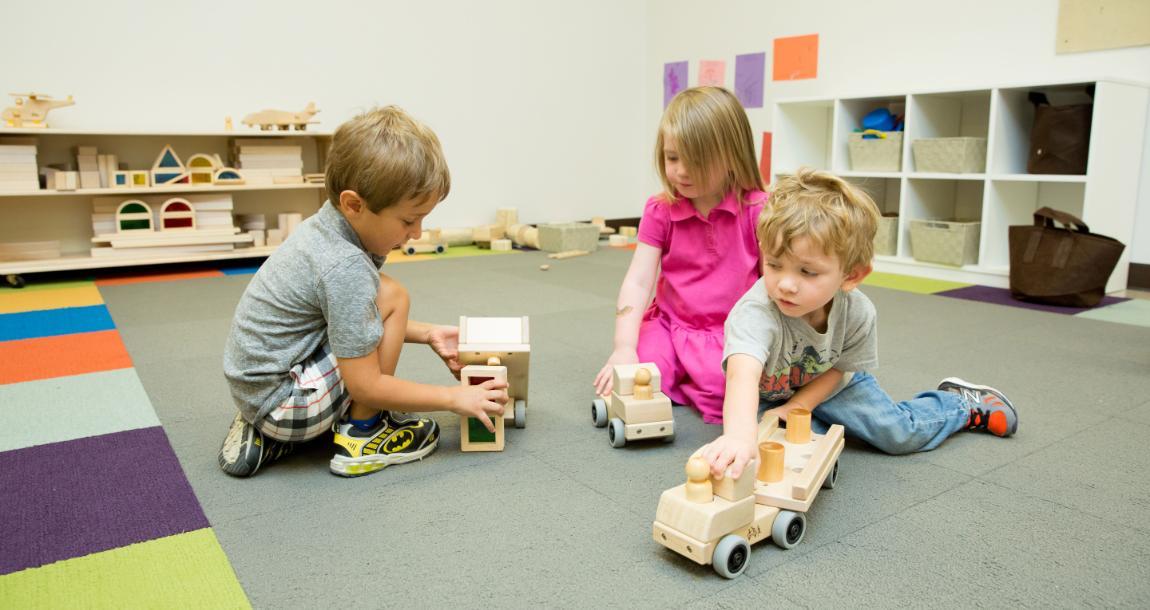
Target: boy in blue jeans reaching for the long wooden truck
(804,338)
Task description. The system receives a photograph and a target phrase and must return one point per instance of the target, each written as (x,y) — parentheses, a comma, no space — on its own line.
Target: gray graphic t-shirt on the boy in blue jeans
(793,354)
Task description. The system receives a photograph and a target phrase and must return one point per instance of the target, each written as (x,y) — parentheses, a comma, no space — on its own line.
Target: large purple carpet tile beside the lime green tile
(78,498)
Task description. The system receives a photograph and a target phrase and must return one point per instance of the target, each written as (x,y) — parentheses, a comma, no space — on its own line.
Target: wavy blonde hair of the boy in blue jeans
(838,217)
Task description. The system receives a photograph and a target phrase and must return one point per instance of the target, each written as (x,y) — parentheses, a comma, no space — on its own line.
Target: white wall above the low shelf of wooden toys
(539,104)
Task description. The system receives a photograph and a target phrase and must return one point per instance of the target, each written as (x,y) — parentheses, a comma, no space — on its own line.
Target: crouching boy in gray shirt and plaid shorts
(317,335)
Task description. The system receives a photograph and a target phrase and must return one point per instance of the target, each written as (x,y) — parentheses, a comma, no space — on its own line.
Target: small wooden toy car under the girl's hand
(637,409)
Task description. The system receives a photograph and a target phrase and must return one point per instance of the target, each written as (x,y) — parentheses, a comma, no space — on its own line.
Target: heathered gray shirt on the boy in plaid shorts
(320,286)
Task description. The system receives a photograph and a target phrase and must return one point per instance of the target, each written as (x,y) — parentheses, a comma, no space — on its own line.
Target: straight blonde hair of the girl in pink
(711,129)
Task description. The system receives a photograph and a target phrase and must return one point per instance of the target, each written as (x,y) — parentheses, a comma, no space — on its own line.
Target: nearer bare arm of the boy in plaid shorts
(370,387)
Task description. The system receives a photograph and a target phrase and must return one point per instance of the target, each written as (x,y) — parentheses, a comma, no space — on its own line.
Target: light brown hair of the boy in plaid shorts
(387,157)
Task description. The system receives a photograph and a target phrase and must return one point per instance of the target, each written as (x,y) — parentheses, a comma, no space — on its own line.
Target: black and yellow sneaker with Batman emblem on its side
(395,440)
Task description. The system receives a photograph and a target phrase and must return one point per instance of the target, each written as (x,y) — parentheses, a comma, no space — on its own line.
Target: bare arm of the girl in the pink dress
(634,296)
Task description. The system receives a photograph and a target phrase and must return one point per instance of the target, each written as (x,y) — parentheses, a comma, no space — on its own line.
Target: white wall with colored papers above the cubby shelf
(887,47)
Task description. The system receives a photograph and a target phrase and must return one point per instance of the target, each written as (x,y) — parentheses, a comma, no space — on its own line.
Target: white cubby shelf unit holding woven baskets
(815,133)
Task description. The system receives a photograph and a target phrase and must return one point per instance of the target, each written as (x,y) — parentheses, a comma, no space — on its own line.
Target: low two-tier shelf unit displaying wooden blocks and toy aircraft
(66,217)
